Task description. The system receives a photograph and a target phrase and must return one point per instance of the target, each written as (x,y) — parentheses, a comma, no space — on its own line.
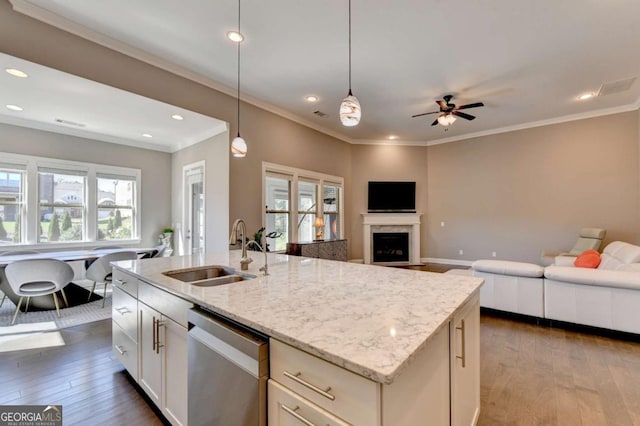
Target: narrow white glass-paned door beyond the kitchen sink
(194,208)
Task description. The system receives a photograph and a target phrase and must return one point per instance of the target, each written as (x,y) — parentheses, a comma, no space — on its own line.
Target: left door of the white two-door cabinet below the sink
(150,370)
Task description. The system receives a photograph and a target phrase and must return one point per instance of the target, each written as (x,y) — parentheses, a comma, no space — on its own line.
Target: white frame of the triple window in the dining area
(31,217)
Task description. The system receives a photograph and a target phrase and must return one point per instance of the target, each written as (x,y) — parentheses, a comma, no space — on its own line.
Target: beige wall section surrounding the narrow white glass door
(213,152)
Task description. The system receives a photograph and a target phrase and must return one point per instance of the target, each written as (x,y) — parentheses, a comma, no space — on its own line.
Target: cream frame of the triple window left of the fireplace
(295,175)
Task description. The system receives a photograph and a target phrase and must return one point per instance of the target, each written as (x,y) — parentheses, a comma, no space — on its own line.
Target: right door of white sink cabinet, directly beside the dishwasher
(174,350)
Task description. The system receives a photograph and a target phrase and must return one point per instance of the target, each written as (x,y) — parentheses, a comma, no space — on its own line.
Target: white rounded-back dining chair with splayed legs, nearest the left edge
(37,277)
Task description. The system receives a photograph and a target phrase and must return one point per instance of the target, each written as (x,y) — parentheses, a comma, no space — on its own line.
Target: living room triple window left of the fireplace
(294,198)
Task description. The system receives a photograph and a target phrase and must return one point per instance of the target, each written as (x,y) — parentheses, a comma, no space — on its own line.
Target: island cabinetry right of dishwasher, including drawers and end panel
(435,388)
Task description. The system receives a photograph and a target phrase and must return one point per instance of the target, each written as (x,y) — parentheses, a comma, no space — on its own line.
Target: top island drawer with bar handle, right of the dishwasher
(349,396)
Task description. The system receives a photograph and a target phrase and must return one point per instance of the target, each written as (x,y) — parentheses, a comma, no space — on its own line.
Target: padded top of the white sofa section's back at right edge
(597,277)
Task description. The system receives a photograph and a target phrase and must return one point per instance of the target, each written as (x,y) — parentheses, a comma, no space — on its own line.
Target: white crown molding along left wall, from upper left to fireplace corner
(44,15)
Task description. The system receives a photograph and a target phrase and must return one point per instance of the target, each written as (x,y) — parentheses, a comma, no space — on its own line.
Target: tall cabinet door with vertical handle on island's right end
(465,365)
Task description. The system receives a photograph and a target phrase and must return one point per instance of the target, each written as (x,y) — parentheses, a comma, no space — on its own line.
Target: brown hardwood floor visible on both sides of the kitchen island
(530,375)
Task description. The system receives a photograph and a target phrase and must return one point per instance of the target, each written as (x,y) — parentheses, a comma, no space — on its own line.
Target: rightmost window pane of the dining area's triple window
(116,207)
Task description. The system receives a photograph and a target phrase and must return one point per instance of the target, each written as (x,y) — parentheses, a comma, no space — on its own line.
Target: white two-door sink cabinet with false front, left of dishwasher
(163,351)
